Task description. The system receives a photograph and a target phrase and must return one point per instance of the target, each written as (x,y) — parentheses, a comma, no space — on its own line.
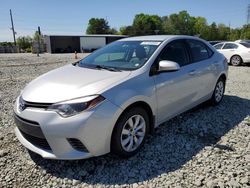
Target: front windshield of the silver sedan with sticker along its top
(121,55)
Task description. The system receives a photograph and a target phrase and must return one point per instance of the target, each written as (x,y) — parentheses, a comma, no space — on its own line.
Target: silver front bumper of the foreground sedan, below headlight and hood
(92,128)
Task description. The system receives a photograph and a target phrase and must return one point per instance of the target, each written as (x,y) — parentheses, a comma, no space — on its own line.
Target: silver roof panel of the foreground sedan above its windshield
(157,37)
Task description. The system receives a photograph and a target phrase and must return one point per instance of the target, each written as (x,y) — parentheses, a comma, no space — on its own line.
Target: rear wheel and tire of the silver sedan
(218,92)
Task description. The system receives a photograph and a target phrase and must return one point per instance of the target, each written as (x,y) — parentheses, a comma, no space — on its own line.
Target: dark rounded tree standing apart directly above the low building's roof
(98,26)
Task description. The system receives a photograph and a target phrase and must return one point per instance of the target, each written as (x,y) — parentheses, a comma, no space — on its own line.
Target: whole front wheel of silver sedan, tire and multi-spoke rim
(130,132)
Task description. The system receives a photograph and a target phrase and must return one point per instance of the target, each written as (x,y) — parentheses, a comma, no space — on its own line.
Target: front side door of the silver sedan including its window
(175,90)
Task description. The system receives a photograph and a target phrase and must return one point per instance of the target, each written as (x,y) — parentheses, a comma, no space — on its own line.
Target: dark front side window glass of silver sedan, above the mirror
(175,51)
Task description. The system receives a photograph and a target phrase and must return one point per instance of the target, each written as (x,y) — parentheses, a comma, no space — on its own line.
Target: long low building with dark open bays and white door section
(85,43)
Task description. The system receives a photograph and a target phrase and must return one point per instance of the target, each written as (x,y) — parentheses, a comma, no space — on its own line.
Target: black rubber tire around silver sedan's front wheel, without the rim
(116,146)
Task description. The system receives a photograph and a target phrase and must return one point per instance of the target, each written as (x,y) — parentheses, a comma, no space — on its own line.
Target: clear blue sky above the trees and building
(70,17)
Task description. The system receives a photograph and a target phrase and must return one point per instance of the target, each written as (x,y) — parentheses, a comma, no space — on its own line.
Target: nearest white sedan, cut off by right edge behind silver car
(235,52)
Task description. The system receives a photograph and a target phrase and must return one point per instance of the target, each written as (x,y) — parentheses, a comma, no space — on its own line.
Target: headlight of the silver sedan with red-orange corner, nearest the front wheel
(75,106)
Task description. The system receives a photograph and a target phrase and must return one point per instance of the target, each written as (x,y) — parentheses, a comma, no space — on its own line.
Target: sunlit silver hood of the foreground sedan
(70,82)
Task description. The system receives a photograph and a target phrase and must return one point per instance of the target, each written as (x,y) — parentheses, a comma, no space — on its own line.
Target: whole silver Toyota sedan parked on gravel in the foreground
(112,99)
